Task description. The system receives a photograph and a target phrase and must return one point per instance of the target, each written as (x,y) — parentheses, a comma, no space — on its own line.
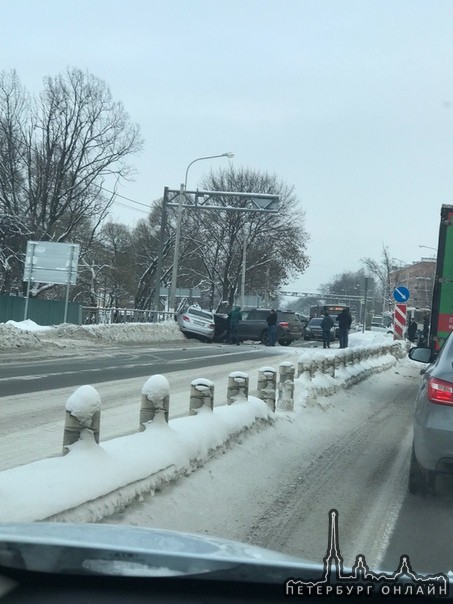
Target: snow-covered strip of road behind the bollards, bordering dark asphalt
(32,425)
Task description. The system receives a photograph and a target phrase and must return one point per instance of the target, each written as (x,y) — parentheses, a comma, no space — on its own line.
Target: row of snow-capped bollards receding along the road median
(83,407)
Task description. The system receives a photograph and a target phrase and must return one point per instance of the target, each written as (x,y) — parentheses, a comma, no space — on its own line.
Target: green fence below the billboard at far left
(42,312)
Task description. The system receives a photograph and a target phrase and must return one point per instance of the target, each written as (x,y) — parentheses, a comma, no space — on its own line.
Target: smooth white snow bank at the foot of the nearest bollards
(93,480)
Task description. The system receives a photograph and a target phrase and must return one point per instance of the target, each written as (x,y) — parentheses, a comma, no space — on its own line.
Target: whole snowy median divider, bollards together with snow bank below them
(98,479)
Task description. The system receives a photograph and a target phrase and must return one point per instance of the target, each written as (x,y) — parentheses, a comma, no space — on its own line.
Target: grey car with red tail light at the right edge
(432,450)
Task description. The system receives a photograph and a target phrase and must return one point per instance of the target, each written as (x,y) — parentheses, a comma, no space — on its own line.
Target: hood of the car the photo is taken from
(61,548)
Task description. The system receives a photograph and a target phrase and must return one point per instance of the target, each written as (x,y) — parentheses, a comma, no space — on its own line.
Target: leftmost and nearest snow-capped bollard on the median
(83,412)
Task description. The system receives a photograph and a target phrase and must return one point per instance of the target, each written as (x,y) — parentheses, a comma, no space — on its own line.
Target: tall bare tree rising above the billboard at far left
(56,152)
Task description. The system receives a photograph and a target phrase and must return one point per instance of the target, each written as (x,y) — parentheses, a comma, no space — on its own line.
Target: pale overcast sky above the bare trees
(349,101)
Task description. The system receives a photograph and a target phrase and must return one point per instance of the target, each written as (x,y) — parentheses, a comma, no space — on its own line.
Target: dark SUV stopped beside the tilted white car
(254,326)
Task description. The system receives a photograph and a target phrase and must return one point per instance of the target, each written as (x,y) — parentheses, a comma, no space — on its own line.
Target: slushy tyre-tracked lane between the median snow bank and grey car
(350,452)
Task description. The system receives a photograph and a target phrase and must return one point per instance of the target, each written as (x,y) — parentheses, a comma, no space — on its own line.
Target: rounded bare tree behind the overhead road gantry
(275,244)
